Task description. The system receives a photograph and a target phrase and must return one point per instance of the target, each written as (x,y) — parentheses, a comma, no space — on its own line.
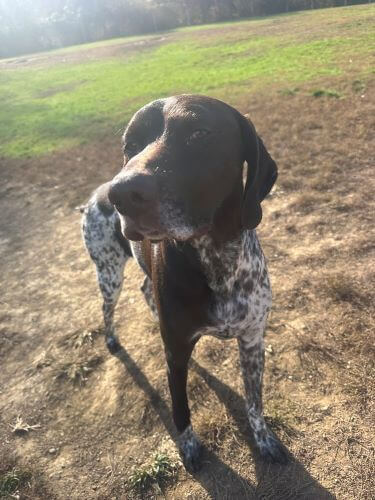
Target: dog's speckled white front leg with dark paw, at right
(251,349)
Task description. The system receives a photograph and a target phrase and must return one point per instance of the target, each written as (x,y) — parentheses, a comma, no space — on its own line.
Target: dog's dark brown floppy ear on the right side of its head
(261,174)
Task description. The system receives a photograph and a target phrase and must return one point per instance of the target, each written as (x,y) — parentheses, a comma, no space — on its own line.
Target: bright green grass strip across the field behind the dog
(63,105)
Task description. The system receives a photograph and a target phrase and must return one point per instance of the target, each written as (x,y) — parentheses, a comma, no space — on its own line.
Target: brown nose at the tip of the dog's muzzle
(133,195)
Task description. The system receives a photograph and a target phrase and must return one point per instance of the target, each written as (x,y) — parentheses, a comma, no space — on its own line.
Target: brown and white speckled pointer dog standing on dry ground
(179,206)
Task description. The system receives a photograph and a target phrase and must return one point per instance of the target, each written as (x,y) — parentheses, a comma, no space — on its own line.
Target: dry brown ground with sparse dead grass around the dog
(81,421)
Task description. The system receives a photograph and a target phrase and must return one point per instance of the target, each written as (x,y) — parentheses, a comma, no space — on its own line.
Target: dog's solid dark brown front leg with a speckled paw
(190,448)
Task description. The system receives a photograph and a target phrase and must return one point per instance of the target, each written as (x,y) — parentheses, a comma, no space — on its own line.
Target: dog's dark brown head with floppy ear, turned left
(183,162)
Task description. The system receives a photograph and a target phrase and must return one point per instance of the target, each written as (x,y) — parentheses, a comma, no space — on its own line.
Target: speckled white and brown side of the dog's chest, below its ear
(237,275)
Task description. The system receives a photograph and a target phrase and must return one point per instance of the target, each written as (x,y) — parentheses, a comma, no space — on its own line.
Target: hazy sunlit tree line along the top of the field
(32,25)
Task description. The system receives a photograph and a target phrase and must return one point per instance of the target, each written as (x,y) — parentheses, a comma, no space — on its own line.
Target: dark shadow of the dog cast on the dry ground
(275,482)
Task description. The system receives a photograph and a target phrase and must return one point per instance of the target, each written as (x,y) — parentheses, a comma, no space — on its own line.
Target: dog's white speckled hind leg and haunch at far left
(100,233)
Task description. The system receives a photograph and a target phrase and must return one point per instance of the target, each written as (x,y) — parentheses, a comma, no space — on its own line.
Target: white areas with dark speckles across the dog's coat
(236,273)
